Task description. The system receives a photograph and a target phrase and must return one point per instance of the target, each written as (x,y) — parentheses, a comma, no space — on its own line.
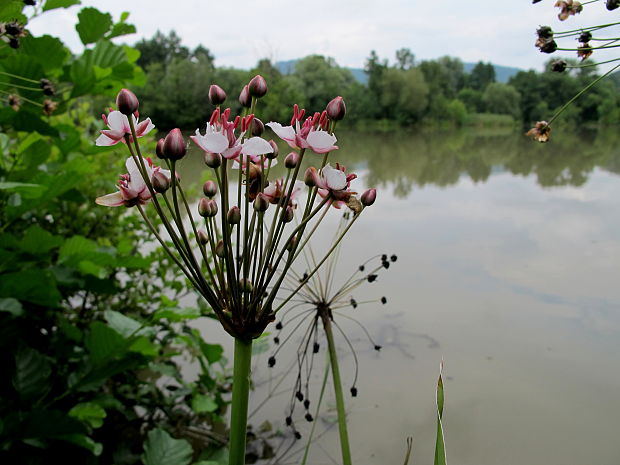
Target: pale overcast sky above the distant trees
(239,33)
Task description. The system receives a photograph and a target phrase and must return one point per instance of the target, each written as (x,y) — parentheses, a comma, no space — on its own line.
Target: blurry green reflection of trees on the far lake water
(405,160)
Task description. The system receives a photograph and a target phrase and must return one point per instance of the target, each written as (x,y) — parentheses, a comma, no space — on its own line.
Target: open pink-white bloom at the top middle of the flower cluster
(219,137)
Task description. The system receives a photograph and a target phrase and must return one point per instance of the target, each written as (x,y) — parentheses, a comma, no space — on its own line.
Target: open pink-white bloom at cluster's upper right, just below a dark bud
(310,134)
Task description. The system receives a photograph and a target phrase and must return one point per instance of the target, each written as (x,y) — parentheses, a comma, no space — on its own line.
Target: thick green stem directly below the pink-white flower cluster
(239,408)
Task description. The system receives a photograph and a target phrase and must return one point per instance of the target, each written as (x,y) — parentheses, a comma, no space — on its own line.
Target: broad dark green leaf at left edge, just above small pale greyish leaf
(36,286)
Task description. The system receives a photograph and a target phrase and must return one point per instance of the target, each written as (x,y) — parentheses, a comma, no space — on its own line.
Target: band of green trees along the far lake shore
(402,92)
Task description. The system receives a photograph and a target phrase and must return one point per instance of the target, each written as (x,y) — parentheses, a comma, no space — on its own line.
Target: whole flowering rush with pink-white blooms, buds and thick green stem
(240,247)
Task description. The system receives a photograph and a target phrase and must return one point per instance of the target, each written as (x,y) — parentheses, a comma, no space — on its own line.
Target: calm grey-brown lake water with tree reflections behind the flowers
(508,255)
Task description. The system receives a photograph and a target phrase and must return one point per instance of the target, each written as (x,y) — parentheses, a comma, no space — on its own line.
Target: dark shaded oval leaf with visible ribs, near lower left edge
(31,373)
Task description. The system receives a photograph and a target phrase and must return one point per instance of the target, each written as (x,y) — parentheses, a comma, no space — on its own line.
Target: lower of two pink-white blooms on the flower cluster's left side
(132,190)
